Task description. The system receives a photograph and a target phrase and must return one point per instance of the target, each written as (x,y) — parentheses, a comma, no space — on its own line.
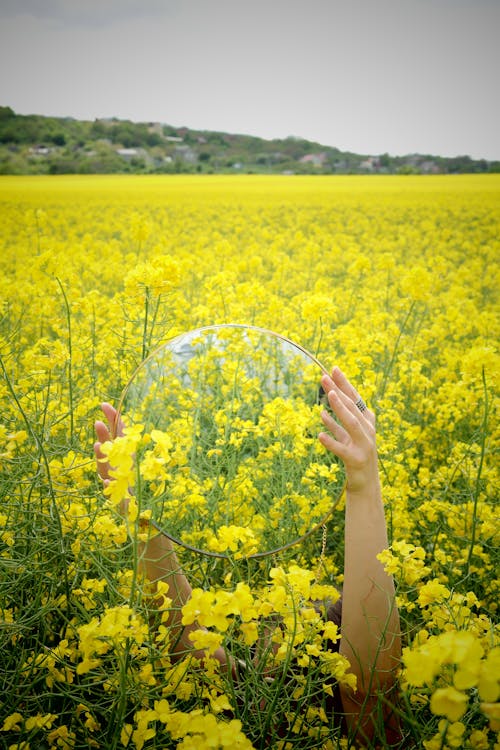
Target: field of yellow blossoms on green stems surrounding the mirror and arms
(396,279)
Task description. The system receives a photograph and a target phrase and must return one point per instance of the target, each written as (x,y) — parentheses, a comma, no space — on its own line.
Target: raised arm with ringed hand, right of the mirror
(370,621)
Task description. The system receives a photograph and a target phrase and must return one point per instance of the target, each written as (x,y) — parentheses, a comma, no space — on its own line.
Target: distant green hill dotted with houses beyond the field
(34,144)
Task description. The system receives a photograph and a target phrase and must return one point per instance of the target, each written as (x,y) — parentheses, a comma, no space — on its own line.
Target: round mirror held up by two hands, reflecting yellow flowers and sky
(230,464)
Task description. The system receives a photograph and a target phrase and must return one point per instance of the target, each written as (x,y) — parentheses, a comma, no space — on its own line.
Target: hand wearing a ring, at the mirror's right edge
(352,438)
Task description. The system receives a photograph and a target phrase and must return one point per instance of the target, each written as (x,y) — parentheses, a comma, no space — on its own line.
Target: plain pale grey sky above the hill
(368,76)
